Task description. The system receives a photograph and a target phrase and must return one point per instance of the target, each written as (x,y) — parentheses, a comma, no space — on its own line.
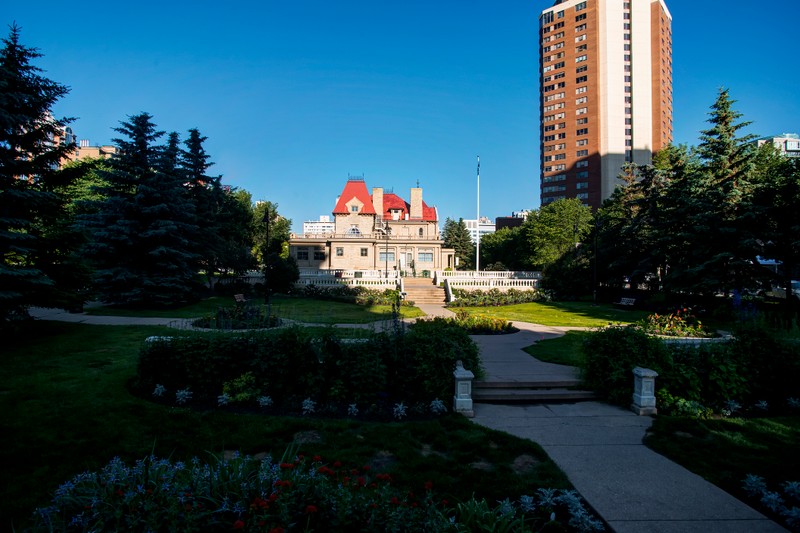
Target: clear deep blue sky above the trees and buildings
(294,96)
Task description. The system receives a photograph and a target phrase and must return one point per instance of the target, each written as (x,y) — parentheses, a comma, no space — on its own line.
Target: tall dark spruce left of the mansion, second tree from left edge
(140,243)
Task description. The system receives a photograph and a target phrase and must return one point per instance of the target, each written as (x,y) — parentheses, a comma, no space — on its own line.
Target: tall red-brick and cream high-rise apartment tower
(605,93)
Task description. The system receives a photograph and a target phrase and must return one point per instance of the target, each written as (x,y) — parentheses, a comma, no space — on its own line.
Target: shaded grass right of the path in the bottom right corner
(725,451)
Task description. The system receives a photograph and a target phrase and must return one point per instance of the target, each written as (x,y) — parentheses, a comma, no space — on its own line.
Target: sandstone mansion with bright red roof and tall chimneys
(376,232)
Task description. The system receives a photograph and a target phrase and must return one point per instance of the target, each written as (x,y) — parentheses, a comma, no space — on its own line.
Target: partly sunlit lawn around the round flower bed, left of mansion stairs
(300,309)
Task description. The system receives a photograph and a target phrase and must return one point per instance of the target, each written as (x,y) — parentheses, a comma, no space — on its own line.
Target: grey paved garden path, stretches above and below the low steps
(598,446)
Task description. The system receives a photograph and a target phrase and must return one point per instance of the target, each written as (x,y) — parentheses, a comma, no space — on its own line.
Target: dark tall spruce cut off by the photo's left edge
(29,155)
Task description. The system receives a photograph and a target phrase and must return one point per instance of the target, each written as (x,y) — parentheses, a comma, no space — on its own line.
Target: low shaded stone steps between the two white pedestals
(530,391)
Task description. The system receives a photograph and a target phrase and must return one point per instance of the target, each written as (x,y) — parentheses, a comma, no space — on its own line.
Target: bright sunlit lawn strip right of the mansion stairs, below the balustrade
(573,314)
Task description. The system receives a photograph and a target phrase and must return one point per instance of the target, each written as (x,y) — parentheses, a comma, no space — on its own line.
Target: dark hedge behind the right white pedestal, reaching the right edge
(753,367)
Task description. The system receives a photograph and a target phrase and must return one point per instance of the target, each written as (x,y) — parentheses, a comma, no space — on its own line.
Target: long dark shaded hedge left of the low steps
(413,364)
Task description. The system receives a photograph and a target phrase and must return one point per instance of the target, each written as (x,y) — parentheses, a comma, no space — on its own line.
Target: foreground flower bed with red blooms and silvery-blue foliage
(296,493)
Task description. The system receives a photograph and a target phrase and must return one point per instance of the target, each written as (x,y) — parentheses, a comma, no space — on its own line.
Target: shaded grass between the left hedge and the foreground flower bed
(65,408)
